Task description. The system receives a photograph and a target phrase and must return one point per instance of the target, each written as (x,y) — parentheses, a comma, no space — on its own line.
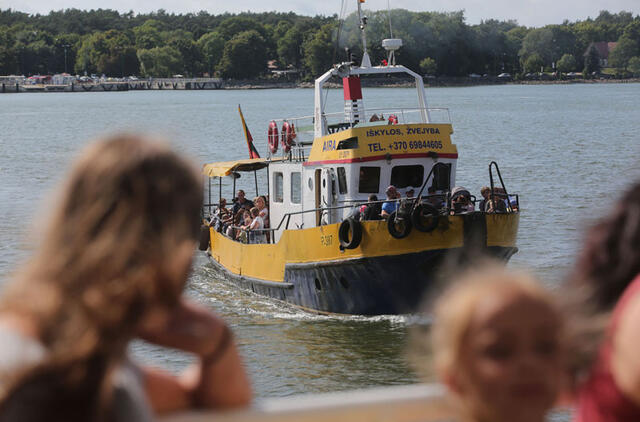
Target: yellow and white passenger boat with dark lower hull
(319,256)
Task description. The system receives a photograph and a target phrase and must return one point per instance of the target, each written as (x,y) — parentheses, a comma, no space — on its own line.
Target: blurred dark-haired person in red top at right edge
(605,286)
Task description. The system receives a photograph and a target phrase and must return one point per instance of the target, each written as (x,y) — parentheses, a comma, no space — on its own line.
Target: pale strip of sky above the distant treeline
(533,13)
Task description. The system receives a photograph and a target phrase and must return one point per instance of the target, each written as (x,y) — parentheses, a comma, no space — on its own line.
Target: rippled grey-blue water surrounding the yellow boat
(569,150)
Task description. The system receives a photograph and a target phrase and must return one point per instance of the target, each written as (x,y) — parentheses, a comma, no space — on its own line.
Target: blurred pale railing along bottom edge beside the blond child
(410,403)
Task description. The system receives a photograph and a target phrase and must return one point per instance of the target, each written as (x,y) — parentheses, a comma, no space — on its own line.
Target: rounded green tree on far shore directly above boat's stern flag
(244,56)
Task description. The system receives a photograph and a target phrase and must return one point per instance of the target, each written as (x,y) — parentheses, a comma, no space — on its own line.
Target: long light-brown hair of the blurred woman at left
(126,206)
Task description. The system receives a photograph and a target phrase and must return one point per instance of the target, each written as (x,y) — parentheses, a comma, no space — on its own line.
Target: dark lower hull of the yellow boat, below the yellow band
(365,286)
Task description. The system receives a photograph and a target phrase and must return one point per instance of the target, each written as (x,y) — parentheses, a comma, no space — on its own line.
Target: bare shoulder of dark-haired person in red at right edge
(625,365)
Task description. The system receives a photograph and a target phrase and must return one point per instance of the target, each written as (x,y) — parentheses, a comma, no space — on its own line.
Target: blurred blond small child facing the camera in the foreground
(496,339)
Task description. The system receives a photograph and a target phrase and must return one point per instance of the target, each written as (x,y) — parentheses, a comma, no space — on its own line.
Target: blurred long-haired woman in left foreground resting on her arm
(112,265)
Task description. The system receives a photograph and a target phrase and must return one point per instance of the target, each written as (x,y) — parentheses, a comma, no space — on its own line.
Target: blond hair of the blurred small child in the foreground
(454,310)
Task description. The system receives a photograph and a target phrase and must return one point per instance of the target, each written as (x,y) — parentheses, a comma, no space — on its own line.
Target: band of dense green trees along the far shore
(240,46)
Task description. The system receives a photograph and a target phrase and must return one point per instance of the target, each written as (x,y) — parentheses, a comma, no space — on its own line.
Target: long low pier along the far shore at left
(149,84)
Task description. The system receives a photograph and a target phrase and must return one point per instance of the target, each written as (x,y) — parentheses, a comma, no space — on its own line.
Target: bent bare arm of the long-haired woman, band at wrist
(218,380)
